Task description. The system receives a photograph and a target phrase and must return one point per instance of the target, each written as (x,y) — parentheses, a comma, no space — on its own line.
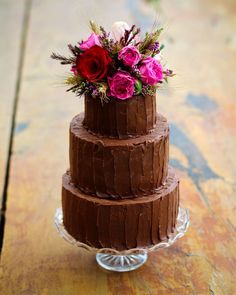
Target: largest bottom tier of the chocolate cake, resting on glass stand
(121,224)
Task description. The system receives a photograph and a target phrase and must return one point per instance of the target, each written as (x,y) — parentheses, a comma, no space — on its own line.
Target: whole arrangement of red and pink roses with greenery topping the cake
(116,64)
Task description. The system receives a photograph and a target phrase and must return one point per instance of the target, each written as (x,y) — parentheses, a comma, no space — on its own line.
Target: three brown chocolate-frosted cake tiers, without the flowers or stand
(119,191)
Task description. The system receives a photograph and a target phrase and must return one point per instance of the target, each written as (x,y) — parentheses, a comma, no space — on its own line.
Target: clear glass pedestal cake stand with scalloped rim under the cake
(122,261)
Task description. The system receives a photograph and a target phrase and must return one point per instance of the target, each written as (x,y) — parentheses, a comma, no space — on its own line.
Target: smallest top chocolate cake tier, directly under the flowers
(120,118)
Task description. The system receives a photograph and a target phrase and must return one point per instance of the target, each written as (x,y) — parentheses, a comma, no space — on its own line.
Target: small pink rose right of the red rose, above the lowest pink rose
(129,55)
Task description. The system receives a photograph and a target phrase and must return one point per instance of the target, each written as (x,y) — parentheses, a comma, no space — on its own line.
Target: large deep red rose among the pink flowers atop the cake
(94,63)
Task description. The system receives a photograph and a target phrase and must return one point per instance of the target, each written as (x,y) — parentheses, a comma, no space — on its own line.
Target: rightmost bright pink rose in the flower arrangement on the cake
(151,71)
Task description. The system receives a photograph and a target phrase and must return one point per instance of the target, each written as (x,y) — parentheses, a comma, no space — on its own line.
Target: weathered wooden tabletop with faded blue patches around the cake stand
(35,113)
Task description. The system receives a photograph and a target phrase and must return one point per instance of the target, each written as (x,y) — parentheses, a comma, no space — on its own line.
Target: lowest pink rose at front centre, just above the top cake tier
(121,85)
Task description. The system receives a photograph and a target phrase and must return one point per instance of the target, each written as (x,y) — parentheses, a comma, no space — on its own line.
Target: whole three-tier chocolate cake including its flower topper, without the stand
(119,191)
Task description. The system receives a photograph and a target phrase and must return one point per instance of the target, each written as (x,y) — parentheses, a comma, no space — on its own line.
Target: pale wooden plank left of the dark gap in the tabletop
(11,32)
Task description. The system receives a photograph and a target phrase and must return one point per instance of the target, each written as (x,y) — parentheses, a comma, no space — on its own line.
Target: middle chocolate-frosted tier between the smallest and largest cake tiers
(115,168)
